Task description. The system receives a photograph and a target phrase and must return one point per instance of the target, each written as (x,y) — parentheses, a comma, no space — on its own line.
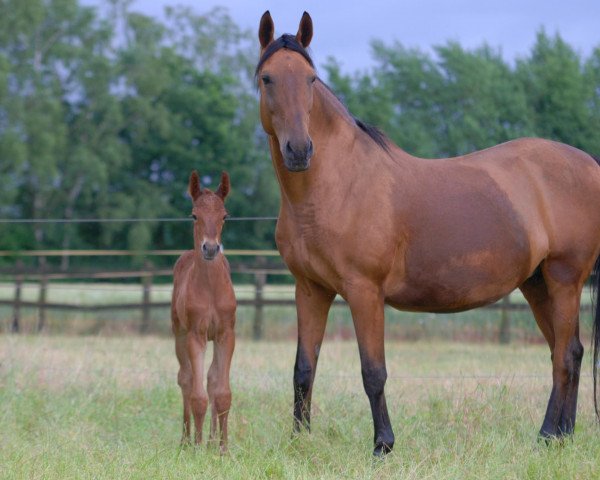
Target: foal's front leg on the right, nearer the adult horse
(224,346)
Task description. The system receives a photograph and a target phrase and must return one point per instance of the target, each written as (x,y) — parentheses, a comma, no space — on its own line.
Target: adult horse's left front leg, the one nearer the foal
(312,305)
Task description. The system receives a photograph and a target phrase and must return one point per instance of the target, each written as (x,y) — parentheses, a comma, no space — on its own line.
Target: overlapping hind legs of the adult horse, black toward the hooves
(555,305)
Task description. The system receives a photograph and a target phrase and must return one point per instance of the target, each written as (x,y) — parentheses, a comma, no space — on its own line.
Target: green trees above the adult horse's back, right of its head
(458,101)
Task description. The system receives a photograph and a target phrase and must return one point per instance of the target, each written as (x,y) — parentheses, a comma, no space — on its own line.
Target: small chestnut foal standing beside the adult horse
(202,309)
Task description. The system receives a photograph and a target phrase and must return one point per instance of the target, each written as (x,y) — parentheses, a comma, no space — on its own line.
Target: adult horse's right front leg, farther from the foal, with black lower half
(366,303)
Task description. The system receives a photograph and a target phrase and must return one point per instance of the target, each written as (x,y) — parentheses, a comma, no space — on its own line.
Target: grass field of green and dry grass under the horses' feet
(98,407)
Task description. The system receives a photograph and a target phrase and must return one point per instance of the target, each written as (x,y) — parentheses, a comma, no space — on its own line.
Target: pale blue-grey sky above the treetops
(344,28)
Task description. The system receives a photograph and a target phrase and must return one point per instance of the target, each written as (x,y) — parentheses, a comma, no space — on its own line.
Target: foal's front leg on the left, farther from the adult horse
(196,346)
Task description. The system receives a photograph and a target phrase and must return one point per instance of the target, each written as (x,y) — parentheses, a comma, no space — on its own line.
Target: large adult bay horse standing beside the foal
(362,218)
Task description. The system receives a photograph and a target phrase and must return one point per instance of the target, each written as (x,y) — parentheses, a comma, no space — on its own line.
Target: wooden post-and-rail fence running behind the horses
(260,272)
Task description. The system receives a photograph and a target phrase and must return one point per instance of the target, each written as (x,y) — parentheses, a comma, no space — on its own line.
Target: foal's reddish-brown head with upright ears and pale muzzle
(209,215)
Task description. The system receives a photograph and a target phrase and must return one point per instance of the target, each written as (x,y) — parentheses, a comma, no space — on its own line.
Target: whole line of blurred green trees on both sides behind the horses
(105,112)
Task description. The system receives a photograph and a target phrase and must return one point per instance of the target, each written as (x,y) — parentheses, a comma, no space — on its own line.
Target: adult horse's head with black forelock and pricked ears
(286,77)
